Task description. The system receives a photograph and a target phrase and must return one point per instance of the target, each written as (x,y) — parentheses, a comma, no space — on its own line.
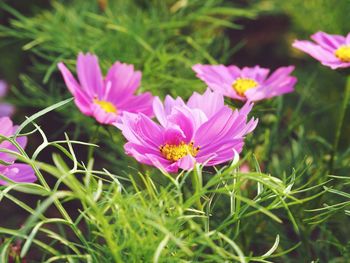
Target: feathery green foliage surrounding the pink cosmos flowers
(291,207)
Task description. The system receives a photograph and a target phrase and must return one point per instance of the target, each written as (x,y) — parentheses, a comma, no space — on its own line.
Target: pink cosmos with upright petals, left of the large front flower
(106,99)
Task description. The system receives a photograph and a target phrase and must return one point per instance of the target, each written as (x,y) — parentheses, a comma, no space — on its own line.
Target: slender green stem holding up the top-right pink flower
(340,124)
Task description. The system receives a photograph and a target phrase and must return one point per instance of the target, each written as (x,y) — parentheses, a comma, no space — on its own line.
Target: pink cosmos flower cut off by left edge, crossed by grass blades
(17,172)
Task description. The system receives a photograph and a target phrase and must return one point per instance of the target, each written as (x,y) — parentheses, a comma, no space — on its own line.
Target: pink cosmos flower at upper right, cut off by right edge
(331,50)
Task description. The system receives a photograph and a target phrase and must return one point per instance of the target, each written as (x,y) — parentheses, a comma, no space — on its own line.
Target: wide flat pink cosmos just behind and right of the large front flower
(252,84)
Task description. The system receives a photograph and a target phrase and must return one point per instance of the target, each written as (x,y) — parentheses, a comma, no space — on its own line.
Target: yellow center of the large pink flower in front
(175,152)
